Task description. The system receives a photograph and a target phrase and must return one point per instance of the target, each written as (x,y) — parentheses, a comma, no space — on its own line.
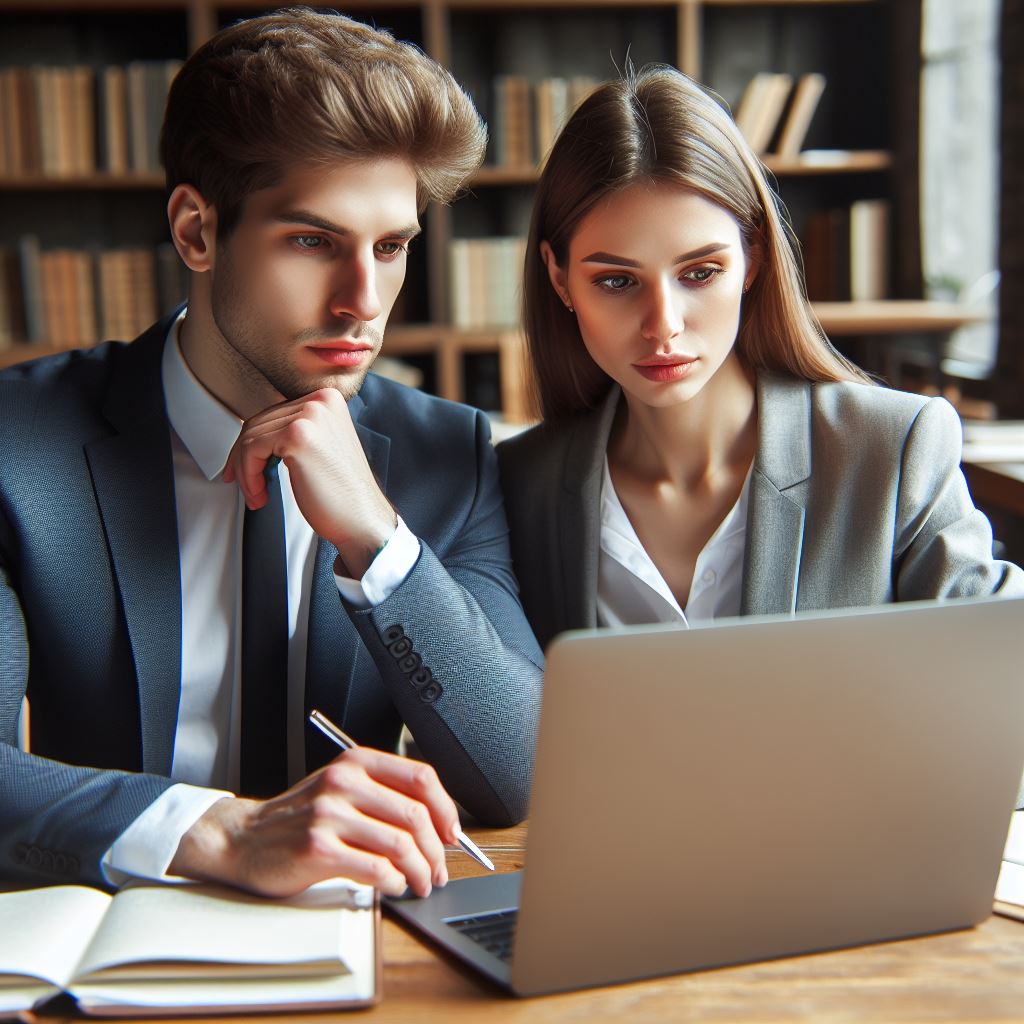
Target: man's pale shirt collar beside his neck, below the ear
(207,430)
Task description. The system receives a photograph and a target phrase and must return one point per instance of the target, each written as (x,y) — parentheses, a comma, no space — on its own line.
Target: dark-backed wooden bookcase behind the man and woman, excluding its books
(698,36)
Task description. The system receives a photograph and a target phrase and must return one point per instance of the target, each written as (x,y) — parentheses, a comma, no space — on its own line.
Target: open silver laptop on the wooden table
(751,790)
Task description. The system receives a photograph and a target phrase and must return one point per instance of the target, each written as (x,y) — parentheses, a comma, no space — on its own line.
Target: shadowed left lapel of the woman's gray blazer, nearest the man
(580,514)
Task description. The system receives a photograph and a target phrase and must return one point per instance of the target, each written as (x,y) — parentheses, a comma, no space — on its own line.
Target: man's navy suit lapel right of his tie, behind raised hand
(333,647)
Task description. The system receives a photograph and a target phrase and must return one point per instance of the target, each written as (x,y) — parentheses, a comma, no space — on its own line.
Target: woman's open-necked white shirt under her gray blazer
(630,588)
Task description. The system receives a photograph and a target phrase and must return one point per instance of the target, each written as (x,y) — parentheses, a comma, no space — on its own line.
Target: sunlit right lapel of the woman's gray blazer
(779,492)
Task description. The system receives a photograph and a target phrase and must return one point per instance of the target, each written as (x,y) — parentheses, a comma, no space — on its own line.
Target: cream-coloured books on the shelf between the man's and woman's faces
(484,281)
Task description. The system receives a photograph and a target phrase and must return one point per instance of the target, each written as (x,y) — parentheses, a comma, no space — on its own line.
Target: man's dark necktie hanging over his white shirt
(265,646)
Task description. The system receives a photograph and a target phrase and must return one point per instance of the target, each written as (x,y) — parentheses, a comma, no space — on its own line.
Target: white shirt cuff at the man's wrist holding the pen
(147,847)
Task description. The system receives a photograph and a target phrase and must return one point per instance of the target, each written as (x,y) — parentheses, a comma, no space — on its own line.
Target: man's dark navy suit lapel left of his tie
(133,475)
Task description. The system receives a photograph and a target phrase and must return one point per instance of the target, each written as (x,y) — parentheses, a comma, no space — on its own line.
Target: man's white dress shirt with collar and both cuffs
(210,513)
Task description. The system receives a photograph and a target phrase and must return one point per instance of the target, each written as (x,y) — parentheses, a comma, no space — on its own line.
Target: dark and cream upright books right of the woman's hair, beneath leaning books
(846,252)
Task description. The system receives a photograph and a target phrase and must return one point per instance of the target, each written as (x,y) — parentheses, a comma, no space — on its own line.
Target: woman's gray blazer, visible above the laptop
(857,499)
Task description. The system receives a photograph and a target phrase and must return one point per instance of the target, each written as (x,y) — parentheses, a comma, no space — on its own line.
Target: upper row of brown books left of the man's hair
(69,121)
